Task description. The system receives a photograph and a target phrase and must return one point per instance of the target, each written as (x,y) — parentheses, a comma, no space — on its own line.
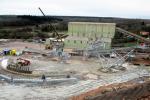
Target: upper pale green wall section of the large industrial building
(86,29)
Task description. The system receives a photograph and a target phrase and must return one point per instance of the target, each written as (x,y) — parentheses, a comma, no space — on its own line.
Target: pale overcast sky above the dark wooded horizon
(100,8)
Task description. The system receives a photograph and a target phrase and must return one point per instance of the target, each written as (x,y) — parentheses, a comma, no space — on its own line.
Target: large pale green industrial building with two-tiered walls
(80,33)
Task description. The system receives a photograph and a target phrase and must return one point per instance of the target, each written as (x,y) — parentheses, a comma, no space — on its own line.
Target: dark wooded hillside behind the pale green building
(32,25)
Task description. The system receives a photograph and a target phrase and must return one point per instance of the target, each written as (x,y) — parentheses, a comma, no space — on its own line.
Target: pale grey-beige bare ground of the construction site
(87,73)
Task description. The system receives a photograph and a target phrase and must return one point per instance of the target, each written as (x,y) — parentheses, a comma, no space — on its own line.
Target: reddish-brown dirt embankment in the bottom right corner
(122,91)
